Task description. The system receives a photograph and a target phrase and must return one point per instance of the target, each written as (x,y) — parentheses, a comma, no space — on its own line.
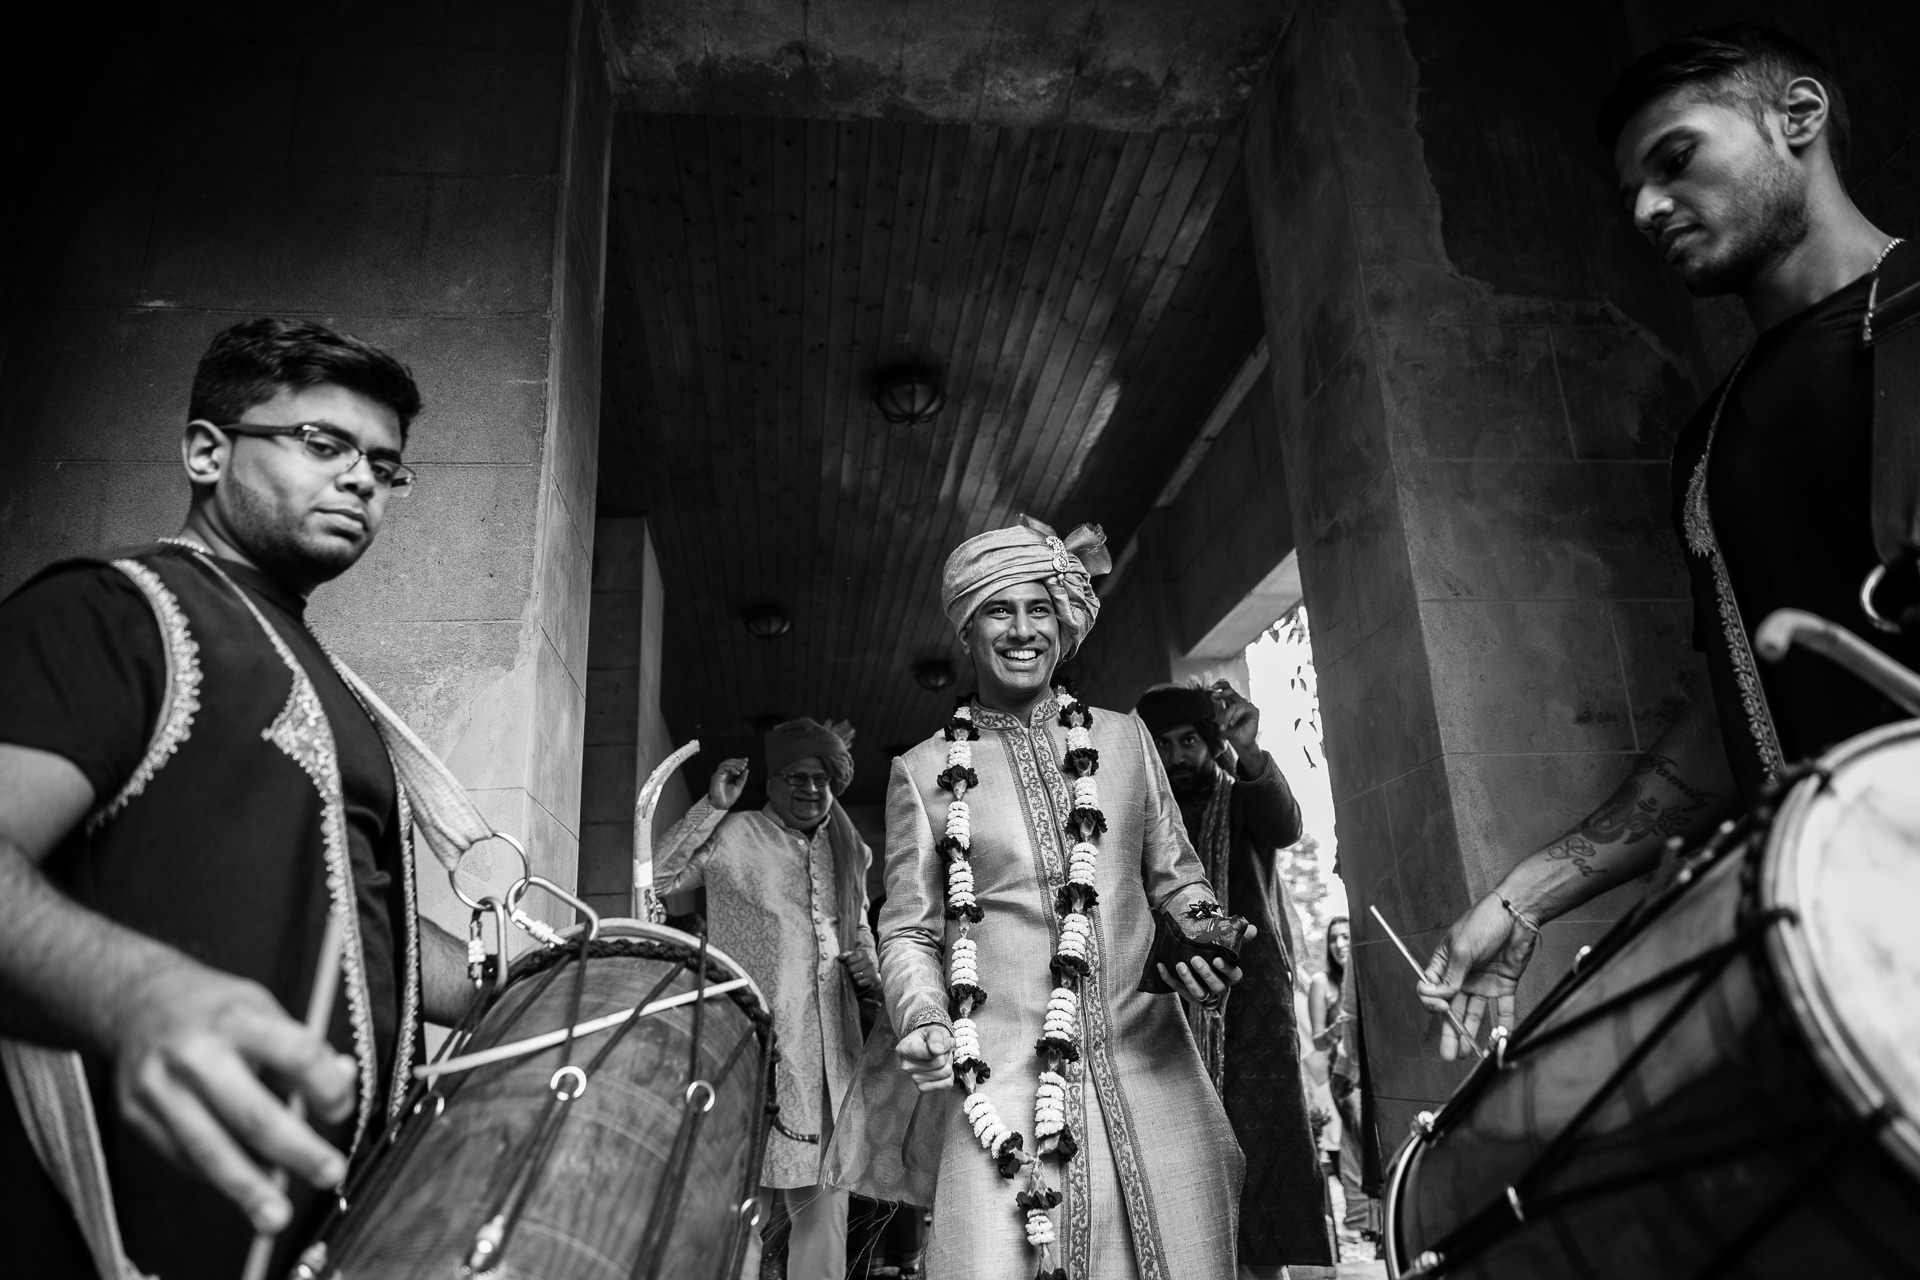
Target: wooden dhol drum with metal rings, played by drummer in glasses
(629,1150)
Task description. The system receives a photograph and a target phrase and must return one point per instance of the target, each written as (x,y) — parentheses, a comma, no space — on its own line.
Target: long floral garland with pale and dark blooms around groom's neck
(1059,1043)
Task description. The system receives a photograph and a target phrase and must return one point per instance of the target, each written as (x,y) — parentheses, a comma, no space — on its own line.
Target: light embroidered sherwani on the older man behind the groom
(771,905)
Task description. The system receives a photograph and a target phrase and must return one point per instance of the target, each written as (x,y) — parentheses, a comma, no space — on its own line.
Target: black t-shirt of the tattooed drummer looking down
(1788,488)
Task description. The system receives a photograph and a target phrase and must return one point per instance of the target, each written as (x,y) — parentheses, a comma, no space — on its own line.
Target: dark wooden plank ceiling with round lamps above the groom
(1086,296)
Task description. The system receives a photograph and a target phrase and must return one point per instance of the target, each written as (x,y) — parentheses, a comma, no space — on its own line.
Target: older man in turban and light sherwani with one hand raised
(786,897)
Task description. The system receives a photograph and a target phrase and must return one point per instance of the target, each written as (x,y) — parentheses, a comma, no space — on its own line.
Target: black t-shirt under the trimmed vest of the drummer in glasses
(85,675)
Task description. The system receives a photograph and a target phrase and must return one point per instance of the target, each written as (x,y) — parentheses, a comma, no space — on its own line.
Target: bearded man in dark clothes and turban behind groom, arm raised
(1239,811)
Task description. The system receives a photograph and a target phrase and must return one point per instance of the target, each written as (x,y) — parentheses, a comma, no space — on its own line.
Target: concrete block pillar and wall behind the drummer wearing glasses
(425,178)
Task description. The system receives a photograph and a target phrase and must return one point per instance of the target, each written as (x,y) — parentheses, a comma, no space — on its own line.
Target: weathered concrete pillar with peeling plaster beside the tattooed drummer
(1477,379)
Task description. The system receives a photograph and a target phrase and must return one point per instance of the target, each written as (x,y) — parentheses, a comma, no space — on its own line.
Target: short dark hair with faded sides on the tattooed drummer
(1742,66)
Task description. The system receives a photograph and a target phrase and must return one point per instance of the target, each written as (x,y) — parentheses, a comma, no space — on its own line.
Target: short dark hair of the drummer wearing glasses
(256,360)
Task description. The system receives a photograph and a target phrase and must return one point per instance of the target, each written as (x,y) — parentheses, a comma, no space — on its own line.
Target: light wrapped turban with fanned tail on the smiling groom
(990,563)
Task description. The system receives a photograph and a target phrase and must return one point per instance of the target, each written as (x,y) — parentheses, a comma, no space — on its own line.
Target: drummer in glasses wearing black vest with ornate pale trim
(189,788)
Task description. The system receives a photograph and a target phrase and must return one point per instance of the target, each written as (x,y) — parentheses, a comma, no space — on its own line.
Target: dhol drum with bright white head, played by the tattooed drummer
(1727,1085)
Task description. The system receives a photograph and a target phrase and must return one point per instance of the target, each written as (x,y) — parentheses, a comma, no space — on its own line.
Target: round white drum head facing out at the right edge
(1846,861)
